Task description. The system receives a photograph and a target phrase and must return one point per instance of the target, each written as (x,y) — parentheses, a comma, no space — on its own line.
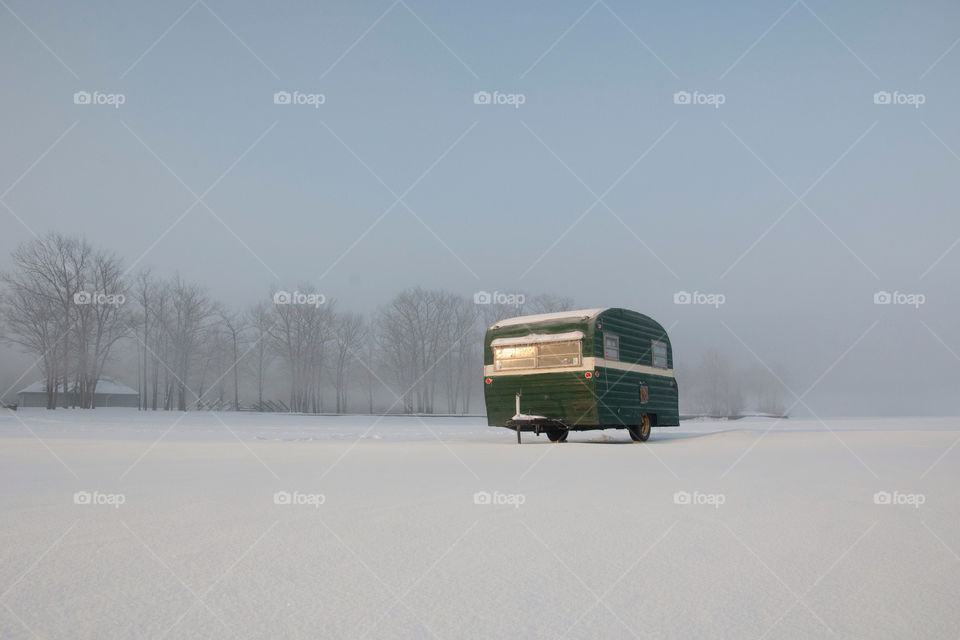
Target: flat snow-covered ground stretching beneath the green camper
(264,526)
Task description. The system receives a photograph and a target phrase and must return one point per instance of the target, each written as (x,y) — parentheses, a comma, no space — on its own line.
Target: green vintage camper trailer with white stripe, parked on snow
(604,368)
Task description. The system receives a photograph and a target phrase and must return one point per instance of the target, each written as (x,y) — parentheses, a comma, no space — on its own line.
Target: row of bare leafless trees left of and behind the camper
(74,308)
